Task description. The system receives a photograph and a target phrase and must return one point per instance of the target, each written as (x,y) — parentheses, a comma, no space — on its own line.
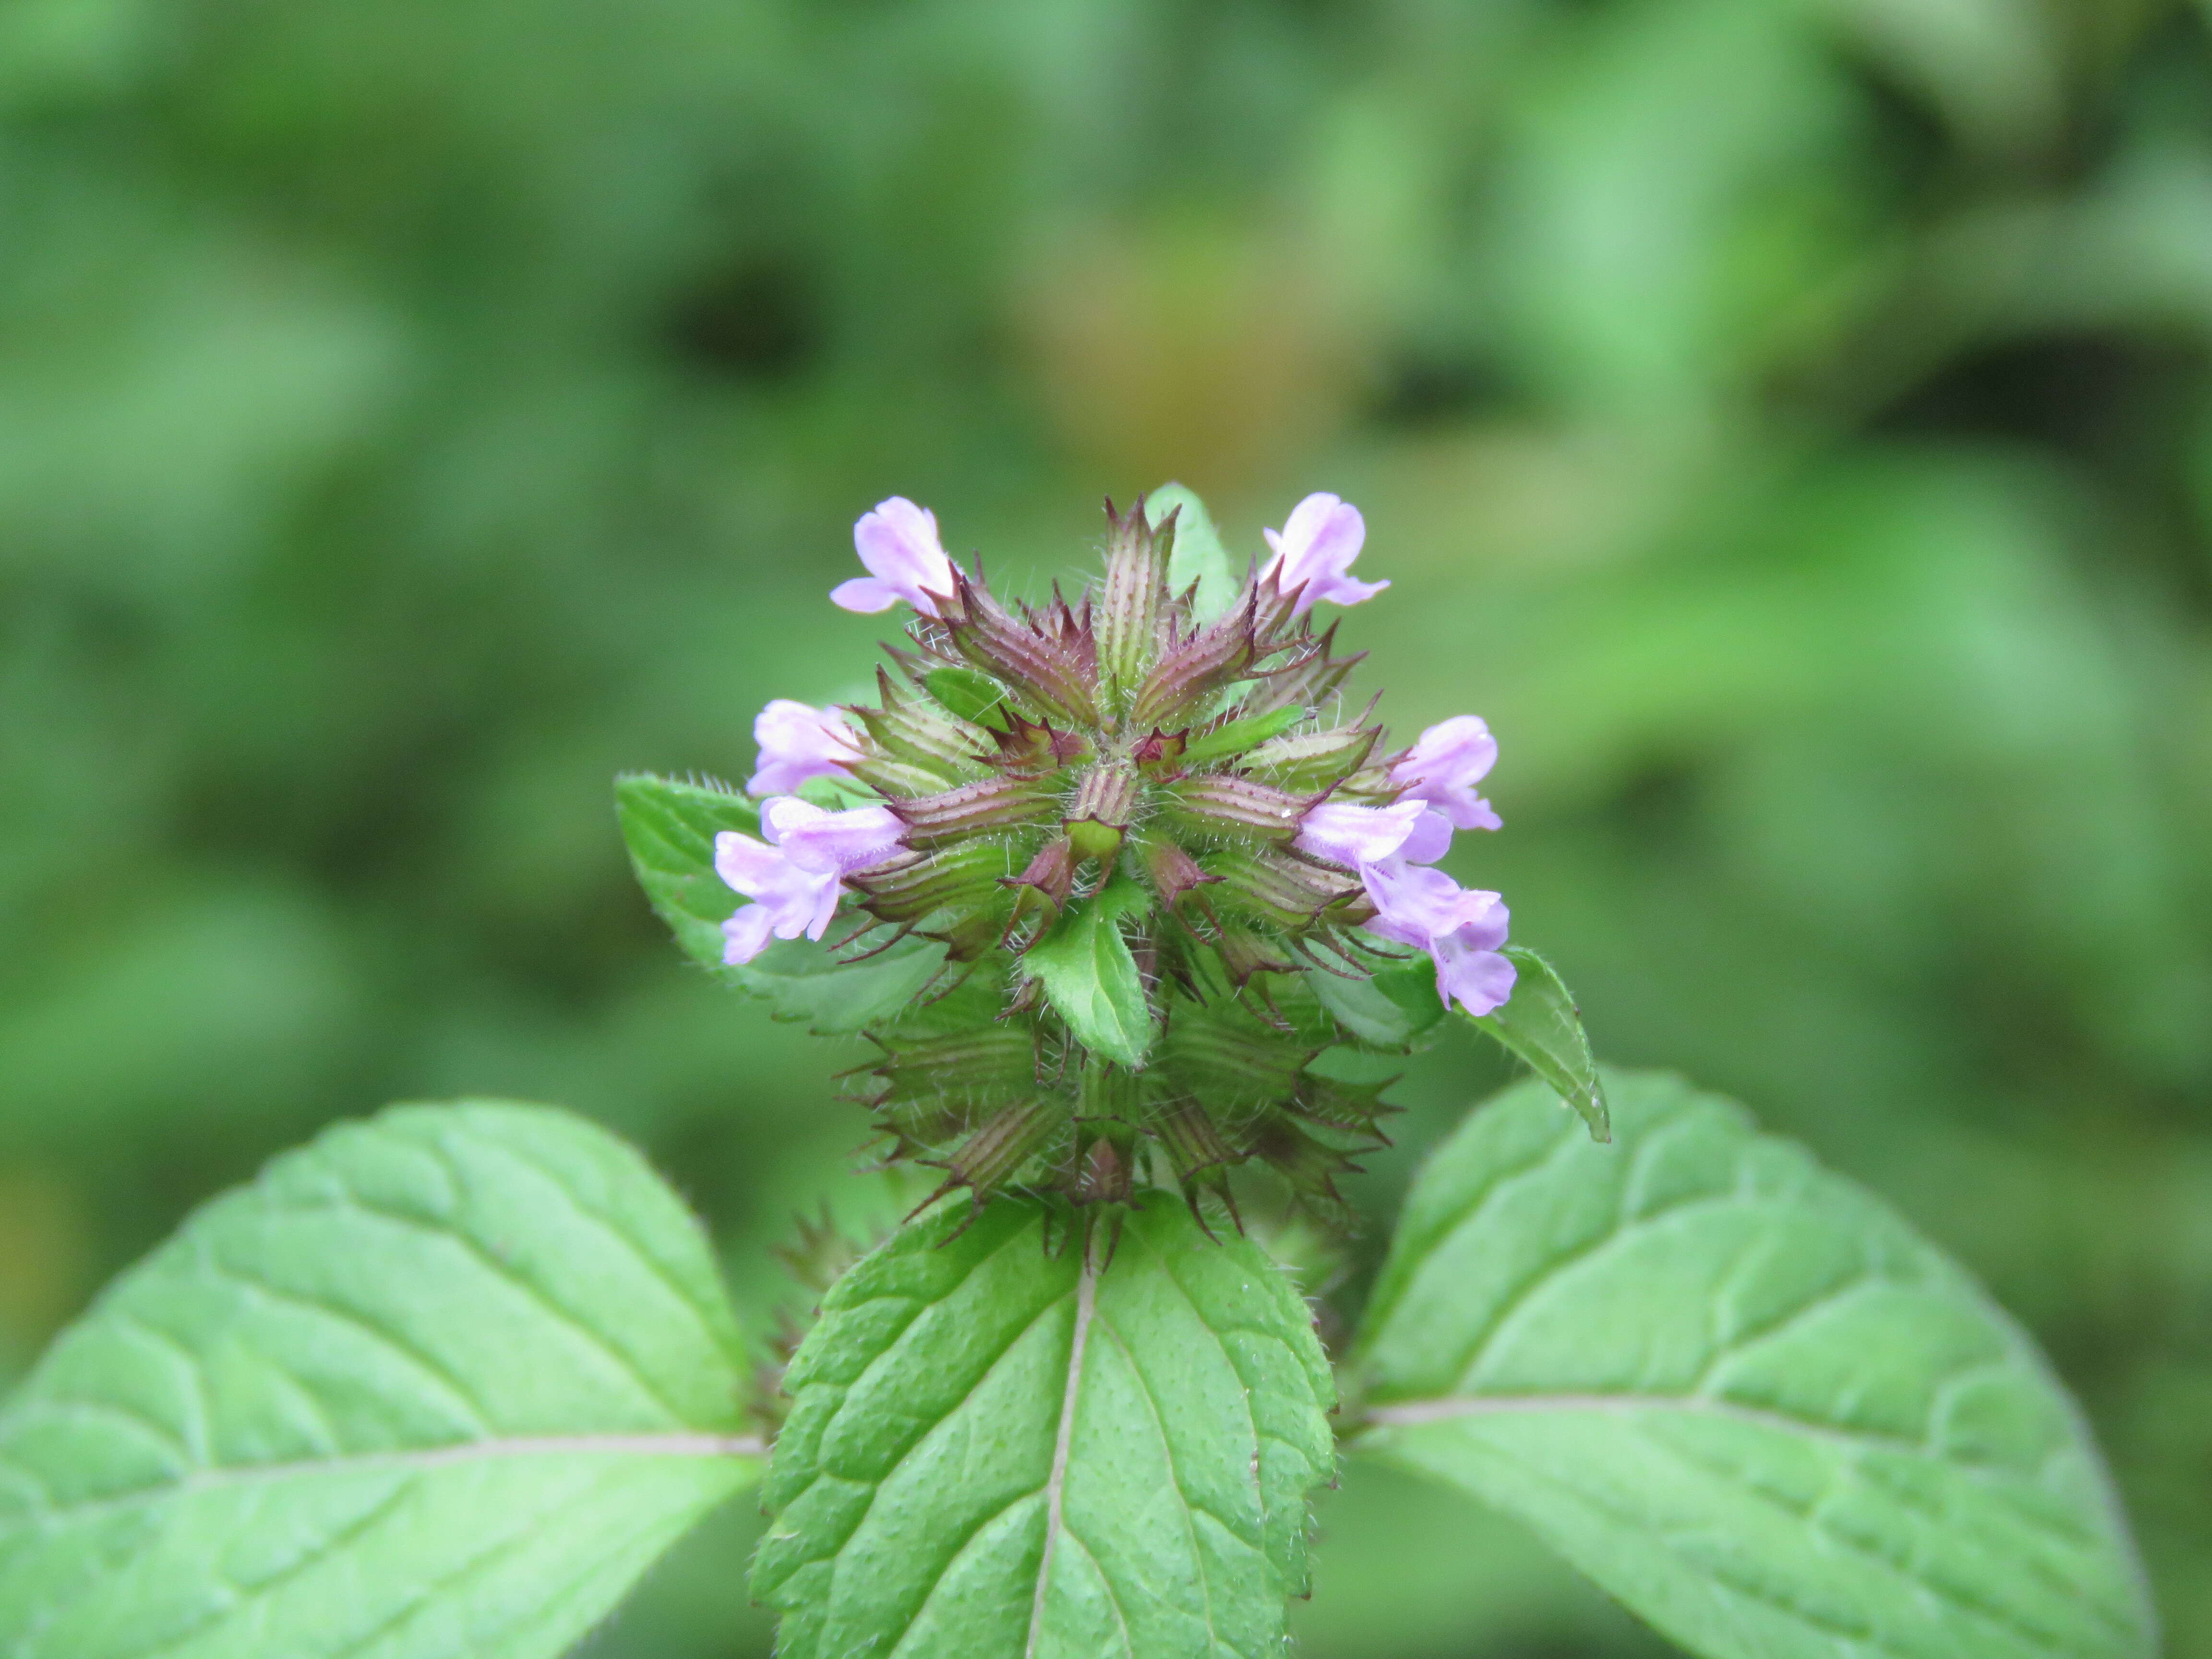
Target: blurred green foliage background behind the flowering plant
(1788,421)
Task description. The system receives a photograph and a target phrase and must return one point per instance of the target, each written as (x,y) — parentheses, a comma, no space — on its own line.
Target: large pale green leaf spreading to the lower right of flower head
(1740,1392)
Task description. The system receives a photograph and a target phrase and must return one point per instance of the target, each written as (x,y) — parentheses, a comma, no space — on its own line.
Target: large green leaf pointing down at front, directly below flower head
(1001,1452)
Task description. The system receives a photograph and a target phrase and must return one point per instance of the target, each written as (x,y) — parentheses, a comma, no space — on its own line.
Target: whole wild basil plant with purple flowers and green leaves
(1129,906)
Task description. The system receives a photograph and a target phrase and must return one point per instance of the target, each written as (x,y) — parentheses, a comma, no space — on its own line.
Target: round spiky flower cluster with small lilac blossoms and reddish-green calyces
(1180,784)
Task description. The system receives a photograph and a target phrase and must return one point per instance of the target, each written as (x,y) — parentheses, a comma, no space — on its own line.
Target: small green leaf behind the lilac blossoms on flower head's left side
(671,835)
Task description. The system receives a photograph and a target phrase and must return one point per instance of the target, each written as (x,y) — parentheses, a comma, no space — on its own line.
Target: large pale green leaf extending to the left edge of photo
(441,1384)
